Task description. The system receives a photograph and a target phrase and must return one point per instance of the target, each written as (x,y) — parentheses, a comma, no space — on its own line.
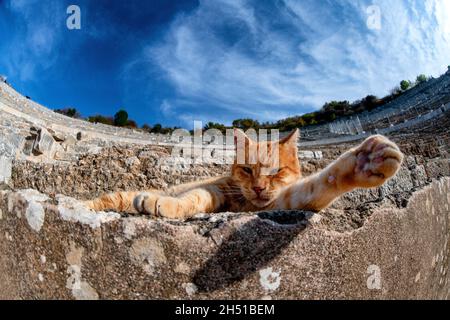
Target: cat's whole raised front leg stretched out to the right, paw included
(368,165)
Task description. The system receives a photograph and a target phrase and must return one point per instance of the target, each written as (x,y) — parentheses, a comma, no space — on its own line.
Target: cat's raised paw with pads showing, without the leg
(375,161)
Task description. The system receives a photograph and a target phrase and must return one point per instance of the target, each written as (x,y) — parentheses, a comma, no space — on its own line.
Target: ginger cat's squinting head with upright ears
(262,179)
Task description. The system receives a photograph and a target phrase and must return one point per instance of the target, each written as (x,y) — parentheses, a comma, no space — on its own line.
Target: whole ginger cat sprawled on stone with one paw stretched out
(368,165)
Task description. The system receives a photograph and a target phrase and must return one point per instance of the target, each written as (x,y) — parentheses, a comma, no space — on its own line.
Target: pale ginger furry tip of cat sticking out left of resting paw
(118,201)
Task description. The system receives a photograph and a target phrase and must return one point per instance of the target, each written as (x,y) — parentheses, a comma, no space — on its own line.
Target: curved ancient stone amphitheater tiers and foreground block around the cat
(386,243)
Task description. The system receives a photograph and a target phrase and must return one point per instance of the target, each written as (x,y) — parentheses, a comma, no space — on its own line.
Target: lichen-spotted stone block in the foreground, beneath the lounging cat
(258,256)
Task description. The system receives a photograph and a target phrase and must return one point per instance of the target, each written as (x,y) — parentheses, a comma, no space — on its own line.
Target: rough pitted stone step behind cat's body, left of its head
(111,169)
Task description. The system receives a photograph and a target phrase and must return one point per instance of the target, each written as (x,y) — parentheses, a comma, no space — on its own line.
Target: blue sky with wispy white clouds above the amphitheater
(173,62)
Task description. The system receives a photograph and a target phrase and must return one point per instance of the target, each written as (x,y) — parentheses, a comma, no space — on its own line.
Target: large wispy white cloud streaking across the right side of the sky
(295,56)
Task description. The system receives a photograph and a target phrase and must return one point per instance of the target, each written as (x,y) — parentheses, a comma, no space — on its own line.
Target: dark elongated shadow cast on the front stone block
(248,249)
